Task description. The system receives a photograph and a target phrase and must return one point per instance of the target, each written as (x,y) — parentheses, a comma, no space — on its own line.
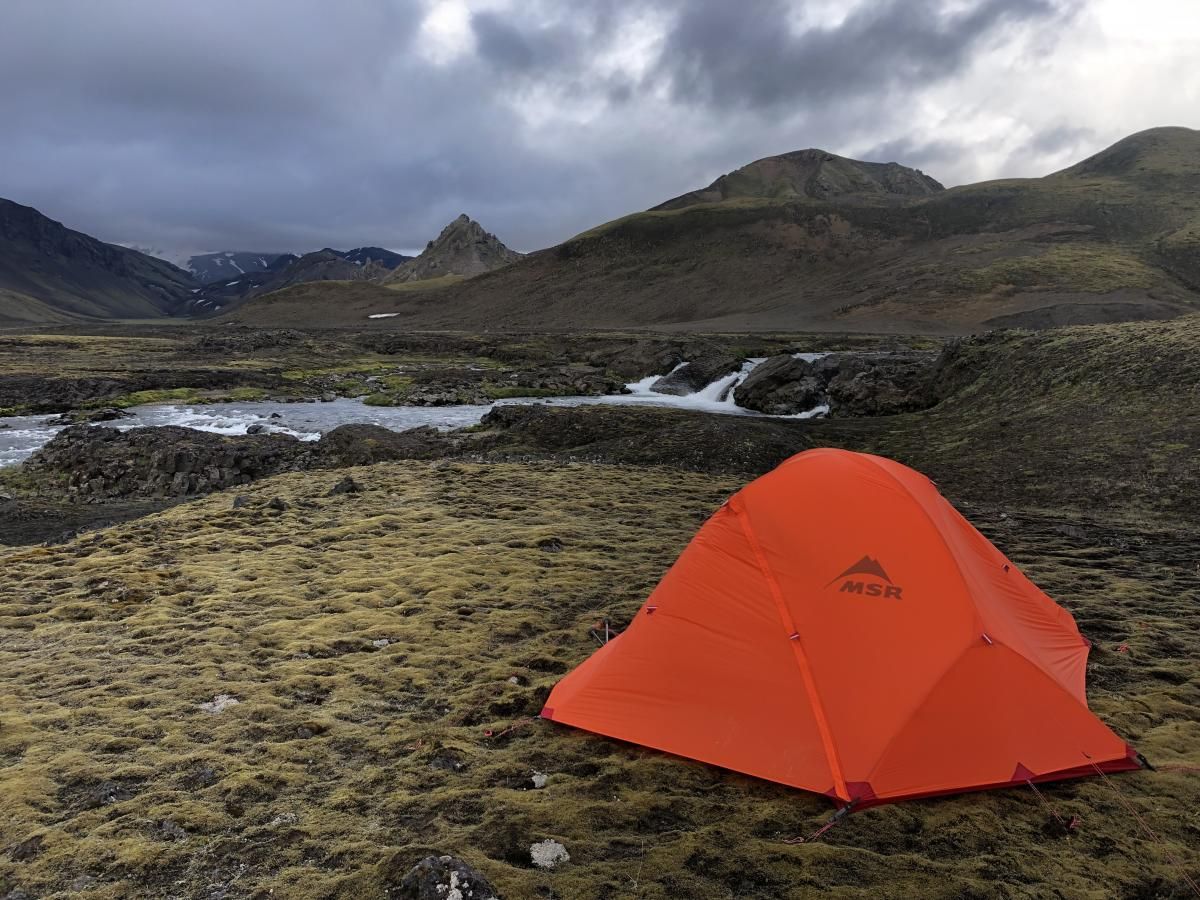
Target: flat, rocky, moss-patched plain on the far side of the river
(69,373)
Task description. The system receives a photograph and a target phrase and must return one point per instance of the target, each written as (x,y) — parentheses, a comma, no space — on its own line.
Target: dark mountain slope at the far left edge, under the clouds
(50,273)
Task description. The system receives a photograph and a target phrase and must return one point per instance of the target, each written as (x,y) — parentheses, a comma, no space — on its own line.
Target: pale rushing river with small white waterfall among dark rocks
(21,436)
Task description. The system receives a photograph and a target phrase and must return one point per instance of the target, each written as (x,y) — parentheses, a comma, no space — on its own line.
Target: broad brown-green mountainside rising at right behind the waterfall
(811,241)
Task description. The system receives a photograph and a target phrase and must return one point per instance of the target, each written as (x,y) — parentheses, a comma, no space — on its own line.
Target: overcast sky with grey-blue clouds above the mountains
(297,124)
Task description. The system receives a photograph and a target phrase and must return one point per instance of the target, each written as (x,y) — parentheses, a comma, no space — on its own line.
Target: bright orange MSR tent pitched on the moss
(838,627)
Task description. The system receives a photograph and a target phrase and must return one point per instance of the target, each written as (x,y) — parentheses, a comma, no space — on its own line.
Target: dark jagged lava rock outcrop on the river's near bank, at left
(169,461)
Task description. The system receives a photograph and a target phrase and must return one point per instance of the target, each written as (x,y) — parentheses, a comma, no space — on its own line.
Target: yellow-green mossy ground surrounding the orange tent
(347,760)
